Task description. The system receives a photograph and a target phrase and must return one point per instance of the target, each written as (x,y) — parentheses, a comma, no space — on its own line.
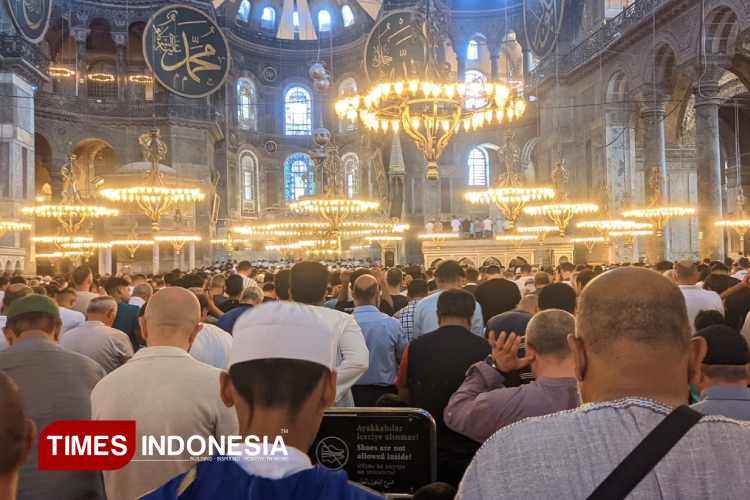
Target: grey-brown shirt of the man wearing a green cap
(56,384)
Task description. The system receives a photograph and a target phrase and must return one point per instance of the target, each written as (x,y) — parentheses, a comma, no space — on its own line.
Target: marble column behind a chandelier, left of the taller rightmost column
(653,112)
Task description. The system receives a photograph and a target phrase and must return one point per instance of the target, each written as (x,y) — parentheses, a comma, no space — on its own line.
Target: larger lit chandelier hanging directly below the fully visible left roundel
(153,196)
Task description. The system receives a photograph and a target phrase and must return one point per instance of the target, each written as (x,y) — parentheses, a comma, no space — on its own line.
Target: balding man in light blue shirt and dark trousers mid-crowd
(385,341)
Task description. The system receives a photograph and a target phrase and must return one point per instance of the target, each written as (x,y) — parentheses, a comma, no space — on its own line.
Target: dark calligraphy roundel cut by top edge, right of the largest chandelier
(542,22)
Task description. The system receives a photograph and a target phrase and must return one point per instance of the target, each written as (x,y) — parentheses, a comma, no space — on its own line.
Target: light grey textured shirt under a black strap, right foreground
(568,454)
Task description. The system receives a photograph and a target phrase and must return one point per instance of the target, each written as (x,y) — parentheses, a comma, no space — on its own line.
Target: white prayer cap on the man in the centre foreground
(282,330)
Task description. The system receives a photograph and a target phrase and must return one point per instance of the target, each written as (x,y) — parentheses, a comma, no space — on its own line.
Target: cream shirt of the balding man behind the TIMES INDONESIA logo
(167,393)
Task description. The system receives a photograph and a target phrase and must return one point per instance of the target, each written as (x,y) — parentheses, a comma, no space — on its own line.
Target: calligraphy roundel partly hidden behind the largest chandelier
(393,51)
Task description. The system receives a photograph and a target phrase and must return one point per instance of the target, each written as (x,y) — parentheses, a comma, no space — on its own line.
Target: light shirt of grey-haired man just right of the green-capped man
(109,347)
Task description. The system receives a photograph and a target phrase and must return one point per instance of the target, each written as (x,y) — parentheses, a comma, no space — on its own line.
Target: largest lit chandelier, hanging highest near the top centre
(431,108)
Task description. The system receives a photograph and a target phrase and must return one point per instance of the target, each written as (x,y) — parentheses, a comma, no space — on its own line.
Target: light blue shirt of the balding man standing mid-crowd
(386,342)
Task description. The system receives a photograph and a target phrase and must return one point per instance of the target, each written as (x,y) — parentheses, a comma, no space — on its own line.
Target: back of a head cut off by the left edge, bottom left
(16,431)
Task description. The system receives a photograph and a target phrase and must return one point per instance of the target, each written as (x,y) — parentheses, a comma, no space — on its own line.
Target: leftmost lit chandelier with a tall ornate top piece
(71,213)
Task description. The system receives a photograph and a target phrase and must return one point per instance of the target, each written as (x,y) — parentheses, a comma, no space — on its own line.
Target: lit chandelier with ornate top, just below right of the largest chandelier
(510,196)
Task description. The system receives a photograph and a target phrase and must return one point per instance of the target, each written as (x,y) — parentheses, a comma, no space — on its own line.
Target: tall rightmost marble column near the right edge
(708,163)
